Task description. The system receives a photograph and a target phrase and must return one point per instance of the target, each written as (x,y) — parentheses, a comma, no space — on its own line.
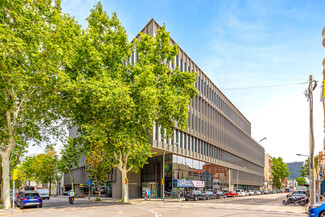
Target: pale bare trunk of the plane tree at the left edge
(5,179)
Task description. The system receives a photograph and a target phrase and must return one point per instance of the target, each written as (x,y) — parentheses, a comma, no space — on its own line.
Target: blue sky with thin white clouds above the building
(245,44)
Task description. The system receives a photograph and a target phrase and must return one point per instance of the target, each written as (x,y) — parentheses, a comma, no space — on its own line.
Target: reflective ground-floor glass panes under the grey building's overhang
(182,174)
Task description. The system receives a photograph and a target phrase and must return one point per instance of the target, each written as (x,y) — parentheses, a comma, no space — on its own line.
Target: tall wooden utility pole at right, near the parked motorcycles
(309,94)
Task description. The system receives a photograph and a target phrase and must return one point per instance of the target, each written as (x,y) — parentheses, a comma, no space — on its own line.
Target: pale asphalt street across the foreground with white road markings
(264,205)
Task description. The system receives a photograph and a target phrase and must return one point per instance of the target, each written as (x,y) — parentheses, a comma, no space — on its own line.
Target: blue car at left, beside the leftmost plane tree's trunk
(28,198)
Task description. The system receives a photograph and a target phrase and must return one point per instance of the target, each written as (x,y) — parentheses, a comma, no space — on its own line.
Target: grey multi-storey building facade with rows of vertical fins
(218,136)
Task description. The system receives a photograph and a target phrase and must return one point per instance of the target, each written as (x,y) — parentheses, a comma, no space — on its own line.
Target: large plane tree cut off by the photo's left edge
(36,46)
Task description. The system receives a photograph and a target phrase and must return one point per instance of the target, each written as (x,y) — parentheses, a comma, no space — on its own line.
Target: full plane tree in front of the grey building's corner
(115,102)
